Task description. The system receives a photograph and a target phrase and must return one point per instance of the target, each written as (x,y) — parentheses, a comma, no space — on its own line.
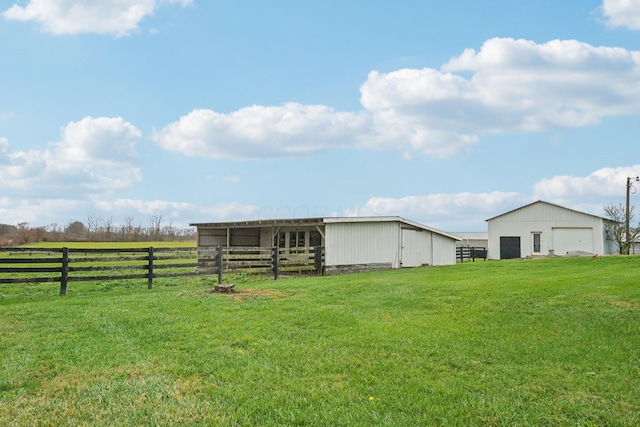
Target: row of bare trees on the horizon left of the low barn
(96,229)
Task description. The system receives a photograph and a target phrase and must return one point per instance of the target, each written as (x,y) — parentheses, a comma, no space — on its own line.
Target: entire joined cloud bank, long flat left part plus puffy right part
(508,86)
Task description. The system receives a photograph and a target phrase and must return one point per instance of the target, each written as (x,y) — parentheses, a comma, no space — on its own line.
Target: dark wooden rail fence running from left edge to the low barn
(64,265)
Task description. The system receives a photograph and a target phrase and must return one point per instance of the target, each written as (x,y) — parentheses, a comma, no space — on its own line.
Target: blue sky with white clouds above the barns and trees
(445,113)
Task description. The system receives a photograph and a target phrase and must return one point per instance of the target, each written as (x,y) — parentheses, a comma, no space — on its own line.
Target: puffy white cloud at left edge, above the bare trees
(94,156)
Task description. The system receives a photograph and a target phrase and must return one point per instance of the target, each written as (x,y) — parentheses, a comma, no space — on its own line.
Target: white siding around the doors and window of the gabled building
(542,218)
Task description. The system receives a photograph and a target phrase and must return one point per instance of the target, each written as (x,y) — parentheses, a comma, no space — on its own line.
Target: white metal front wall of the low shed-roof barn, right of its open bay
(362,243)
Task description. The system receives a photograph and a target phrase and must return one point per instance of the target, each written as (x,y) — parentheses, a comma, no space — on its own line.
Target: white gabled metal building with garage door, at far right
(541,228)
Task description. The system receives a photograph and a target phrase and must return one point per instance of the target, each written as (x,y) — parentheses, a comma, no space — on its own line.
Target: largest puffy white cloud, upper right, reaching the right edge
(514,86)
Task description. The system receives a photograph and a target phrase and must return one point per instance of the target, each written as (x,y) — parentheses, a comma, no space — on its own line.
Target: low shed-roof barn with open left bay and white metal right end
(350,243)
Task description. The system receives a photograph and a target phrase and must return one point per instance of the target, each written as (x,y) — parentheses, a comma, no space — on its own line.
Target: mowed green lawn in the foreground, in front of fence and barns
(544,342)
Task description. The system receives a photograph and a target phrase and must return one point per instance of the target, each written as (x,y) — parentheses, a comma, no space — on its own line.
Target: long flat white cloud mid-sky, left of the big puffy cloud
(261,132)
